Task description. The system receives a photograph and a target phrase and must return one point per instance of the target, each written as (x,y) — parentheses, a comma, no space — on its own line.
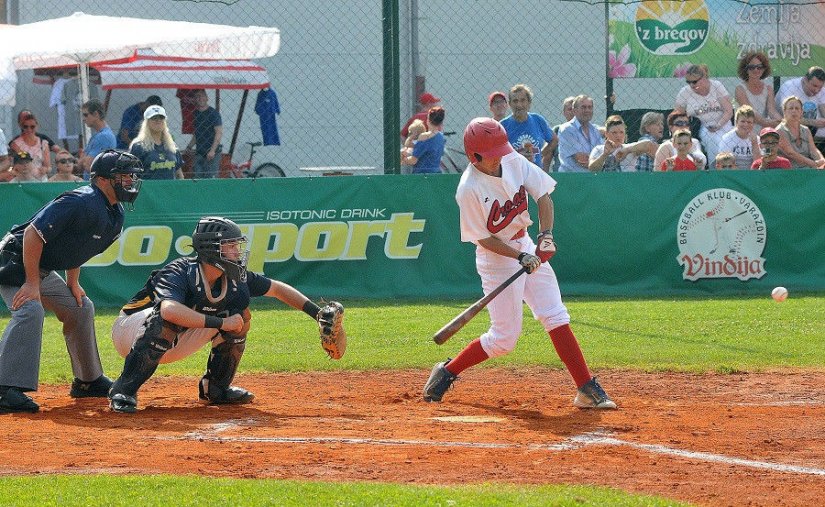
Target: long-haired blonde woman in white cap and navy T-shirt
(155,147)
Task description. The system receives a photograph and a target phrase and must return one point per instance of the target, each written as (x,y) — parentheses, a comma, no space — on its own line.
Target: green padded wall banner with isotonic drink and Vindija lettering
(397,236)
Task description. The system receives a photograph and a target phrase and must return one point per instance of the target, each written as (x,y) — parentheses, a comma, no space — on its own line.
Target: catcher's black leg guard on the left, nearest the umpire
(143,359)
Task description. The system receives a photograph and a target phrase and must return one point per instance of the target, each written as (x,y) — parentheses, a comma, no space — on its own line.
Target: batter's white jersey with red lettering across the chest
(493,206)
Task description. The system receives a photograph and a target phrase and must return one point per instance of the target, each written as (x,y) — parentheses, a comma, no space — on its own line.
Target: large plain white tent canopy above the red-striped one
(101,39)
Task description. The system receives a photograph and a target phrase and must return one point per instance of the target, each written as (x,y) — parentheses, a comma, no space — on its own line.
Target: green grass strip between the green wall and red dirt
(690,335)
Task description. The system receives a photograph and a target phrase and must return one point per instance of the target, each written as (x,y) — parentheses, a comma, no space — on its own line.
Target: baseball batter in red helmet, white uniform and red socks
(493,205)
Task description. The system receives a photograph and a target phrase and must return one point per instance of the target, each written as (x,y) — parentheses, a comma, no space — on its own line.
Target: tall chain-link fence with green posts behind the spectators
(338,61)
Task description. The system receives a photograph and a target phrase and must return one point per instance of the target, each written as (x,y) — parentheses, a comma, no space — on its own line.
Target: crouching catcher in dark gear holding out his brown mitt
(197,300)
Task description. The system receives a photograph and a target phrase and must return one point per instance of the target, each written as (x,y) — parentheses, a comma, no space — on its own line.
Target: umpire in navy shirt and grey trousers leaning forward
(63,235)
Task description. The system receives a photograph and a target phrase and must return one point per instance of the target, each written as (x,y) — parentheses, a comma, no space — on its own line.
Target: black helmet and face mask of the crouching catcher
(219,242)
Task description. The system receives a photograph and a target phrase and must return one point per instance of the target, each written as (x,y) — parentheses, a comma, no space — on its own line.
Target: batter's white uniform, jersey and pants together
(493,206)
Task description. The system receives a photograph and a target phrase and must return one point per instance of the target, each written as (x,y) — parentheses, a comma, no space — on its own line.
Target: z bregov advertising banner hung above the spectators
(661,39)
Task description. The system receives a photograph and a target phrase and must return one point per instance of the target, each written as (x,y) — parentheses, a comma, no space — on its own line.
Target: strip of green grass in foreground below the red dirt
(148,491)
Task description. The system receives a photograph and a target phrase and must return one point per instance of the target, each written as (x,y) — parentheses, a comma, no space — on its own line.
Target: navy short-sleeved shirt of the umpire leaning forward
(75,226)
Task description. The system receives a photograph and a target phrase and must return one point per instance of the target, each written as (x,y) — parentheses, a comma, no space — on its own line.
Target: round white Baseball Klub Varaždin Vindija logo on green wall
(721,234)
